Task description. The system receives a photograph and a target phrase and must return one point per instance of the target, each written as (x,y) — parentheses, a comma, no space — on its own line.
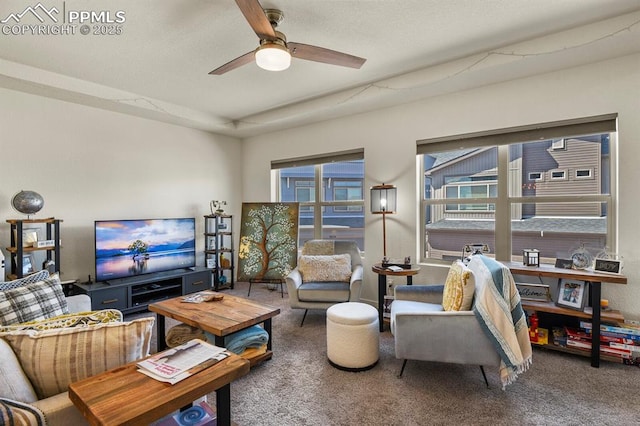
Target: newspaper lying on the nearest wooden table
(178,363)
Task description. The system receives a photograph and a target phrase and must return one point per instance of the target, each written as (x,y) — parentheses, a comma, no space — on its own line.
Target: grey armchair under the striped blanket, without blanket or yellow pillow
(424,331)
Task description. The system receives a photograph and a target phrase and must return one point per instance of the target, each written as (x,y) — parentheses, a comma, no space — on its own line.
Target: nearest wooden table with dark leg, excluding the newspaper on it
(125,396)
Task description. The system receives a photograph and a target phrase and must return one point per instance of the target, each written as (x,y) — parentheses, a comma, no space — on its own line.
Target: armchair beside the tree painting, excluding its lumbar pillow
(304,294)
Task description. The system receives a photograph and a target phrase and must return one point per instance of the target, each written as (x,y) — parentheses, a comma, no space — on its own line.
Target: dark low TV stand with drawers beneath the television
(134,294)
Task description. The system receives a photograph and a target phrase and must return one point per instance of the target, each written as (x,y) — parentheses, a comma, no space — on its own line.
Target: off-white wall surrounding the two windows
(389,138)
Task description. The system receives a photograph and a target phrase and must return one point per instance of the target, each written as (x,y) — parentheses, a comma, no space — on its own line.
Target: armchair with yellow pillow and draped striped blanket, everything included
(475,318)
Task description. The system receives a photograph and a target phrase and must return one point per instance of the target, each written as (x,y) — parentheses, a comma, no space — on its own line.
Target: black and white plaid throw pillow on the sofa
(36,301)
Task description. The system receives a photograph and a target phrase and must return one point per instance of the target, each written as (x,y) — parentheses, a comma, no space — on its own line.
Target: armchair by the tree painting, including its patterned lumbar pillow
(328,272)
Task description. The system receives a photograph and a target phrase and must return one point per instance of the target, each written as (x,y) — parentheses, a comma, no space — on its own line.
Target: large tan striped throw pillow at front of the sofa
(52,359)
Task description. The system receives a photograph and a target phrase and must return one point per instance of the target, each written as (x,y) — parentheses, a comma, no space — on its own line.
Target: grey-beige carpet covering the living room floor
(299,387)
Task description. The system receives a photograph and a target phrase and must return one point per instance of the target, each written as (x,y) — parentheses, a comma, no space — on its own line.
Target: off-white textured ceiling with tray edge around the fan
(158,66)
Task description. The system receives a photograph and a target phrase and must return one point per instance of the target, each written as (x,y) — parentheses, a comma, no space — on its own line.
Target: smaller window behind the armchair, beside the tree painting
(330,192)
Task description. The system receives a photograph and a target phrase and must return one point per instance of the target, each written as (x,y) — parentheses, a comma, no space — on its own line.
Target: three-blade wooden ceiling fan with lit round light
(274,52)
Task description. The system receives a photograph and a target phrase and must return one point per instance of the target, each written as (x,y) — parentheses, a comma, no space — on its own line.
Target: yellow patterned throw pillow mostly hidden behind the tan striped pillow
(79,319)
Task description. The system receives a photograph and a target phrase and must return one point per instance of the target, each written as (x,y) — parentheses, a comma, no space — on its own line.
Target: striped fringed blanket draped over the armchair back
(499,311)
